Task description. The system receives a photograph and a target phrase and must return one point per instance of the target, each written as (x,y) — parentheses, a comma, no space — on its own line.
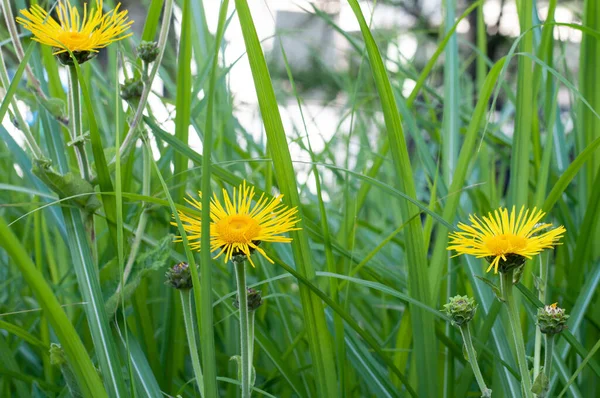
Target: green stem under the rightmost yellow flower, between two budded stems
(513,316)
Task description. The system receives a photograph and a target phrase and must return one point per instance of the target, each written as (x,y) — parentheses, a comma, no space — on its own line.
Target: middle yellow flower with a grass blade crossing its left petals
(238,227)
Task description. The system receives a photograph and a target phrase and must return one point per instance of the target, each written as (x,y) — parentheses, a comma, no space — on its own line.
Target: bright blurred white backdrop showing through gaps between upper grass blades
(321,39)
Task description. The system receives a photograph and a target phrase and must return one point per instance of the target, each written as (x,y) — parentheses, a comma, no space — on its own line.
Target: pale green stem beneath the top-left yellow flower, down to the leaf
(77,124)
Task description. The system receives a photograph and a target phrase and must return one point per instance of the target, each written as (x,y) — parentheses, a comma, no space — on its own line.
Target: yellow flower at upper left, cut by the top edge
(88,34)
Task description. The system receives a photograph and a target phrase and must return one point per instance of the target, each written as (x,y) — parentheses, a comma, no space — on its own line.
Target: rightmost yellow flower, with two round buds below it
(505,237)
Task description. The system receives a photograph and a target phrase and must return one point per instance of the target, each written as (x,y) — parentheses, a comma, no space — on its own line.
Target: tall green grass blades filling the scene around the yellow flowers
(351,308)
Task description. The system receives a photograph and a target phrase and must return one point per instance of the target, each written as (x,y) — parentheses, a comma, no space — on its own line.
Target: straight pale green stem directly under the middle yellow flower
(240,274)
